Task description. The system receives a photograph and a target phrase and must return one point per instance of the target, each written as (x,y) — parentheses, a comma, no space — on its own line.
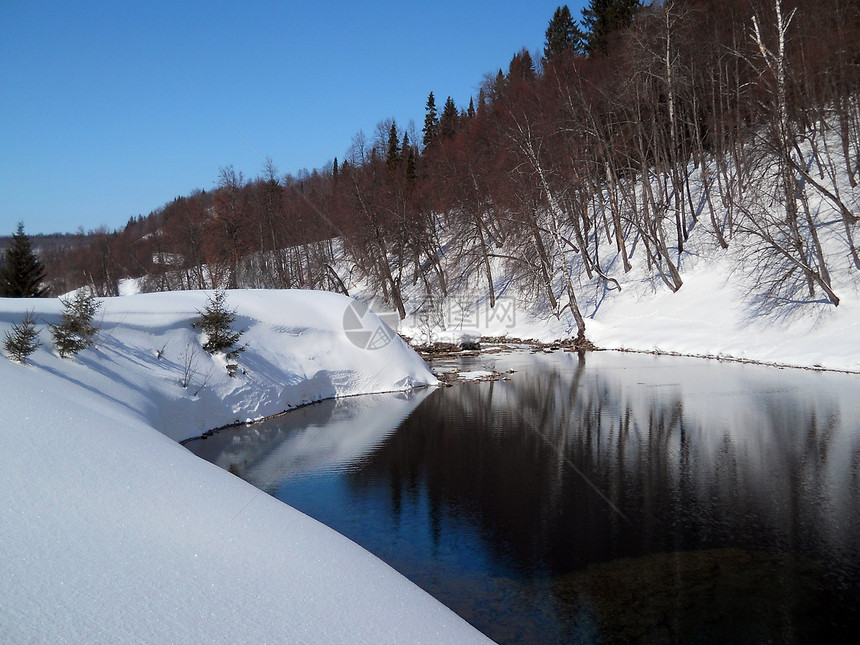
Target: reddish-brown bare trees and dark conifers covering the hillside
(635,125)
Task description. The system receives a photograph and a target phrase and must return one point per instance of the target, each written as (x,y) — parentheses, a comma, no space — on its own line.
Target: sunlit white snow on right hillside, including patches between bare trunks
(713,314)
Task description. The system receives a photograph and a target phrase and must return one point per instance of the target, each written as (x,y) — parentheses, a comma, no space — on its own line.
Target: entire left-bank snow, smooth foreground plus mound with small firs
(113,532)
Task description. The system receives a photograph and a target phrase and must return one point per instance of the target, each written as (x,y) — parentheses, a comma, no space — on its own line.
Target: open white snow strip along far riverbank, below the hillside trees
(710,315)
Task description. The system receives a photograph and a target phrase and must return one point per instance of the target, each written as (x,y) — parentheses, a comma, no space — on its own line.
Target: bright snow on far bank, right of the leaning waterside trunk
(709,316)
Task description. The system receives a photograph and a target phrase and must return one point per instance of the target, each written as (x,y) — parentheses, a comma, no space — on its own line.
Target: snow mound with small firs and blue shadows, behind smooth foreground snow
(297,352)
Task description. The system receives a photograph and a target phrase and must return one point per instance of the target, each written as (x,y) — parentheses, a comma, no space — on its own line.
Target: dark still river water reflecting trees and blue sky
(615,498)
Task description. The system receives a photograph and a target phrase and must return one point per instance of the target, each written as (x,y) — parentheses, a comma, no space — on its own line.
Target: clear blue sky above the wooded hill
(110,109)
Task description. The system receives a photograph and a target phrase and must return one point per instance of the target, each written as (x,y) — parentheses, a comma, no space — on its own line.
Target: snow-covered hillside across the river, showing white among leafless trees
(722,309)
